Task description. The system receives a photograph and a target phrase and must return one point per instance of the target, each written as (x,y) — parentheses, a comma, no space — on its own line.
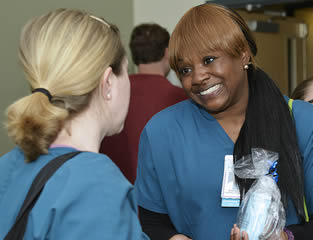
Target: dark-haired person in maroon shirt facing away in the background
(150,93)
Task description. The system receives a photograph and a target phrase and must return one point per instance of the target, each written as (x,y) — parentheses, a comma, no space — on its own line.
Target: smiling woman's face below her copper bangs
(216,81)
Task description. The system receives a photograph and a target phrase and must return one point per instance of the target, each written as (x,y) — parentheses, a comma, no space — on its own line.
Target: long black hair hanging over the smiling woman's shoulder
(269,125)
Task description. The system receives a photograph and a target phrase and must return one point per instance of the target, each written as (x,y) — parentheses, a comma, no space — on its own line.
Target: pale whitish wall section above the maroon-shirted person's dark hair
(164,12)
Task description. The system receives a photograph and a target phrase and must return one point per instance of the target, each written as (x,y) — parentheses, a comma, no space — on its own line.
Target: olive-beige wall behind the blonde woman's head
(13,15)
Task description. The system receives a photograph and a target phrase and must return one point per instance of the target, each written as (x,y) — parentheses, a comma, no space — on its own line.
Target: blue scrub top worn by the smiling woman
(181,165)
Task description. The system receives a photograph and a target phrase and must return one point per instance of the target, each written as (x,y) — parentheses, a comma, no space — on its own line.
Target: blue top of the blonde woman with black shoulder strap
(87,198)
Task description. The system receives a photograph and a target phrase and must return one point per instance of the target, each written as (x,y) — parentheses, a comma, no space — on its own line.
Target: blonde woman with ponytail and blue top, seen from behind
(76,68)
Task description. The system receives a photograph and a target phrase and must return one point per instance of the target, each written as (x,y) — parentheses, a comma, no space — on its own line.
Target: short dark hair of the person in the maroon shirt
(148,43)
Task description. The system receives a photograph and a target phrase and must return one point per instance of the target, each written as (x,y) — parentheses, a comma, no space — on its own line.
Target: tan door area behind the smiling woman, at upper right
(285,64)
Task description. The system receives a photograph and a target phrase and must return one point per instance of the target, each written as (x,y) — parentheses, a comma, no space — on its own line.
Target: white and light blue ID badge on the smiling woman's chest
(230,191)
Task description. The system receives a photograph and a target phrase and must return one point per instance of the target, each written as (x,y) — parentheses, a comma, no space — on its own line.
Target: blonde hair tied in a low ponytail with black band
(65,52)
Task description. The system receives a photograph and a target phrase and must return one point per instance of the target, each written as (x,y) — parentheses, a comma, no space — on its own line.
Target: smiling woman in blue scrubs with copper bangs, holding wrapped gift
(234,106)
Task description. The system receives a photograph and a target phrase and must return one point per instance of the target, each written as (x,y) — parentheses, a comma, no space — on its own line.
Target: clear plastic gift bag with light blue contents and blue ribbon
(261,213)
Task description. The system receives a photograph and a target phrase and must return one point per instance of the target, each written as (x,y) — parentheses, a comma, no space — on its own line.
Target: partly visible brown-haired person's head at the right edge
(304,91)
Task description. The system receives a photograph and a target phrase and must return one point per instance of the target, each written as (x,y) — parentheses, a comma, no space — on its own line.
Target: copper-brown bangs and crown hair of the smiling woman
(210,27)
